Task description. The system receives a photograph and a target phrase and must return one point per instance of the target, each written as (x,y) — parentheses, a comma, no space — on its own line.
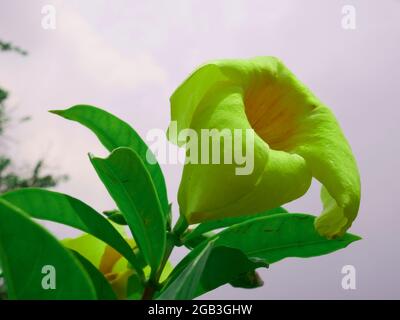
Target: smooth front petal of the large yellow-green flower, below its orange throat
(212,191)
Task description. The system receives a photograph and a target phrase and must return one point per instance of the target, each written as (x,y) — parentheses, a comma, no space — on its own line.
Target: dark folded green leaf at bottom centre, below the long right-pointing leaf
(212,267)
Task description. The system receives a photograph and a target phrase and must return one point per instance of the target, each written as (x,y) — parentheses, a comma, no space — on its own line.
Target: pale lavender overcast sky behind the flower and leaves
(128,56)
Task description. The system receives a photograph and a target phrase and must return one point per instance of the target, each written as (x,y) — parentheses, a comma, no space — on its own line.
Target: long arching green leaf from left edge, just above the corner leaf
(61,208)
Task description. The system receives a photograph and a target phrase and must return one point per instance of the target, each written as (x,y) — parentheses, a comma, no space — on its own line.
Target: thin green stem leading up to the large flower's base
(173,239)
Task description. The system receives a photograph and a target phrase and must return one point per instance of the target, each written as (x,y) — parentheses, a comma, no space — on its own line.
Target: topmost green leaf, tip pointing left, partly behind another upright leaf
(113,133)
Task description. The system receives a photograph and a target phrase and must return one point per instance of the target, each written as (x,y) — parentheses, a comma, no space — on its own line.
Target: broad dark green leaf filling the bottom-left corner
(26,249)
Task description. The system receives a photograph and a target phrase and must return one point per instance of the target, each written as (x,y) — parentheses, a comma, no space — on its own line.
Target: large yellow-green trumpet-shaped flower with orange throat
(296,138)
